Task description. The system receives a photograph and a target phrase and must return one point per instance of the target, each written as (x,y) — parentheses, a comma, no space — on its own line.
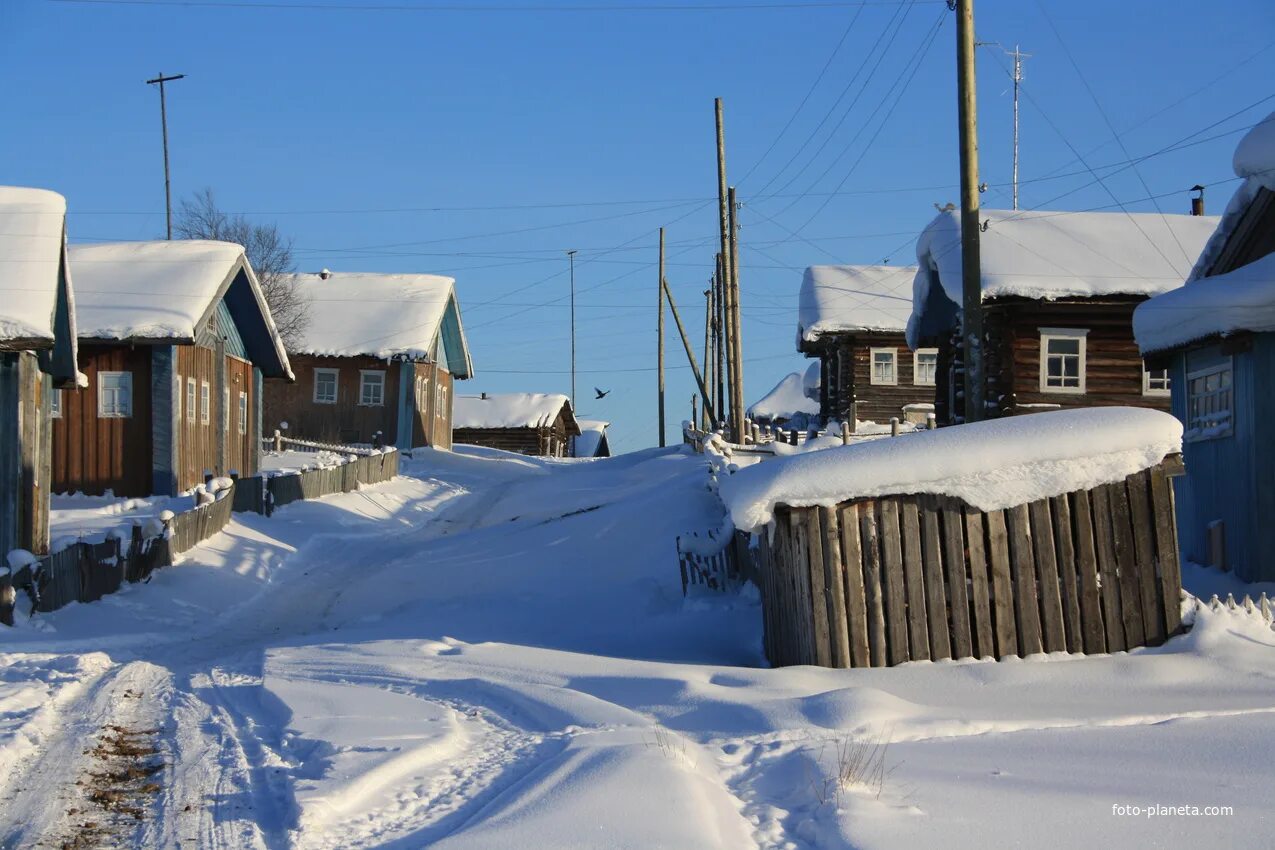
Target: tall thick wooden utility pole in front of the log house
(972,285)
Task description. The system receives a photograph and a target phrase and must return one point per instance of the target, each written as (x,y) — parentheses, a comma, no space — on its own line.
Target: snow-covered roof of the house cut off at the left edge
(33,239)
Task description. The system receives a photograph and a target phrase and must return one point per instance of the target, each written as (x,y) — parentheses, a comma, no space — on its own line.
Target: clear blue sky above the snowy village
(590,129)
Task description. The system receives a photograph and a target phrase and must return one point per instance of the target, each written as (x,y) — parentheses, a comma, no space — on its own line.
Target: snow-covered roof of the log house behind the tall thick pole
(1051,256)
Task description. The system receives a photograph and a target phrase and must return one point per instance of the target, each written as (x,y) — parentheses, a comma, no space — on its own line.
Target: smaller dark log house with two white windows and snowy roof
(852,319)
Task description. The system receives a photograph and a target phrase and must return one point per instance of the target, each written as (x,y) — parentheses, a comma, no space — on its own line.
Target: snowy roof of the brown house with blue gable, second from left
(166,290)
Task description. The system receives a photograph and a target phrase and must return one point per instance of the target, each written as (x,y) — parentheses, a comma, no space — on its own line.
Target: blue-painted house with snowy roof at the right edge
(1216,337)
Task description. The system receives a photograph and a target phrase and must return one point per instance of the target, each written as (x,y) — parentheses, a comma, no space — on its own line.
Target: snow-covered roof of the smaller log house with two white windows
(840,299)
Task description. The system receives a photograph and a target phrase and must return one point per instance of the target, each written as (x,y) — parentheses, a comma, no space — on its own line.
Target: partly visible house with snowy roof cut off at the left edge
(38,356)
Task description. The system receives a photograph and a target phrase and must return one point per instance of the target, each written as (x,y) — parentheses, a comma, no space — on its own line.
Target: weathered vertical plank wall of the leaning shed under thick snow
(882,582)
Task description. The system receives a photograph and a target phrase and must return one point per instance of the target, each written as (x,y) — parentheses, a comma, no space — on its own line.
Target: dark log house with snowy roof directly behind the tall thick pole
(1059,299)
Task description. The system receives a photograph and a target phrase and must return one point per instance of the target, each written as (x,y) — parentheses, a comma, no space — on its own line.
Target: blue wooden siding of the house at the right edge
(1232,479)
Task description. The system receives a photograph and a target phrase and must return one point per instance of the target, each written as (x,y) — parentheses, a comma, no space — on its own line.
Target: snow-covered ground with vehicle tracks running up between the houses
(493,652)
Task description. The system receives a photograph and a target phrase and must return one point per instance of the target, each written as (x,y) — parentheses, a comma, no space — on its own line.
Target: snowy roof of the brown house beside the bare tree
(386,317)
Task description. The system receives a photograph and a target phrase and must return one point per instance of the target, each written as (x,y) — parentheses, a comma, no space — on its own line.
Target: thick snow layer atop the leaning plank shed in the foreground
(991,466)
